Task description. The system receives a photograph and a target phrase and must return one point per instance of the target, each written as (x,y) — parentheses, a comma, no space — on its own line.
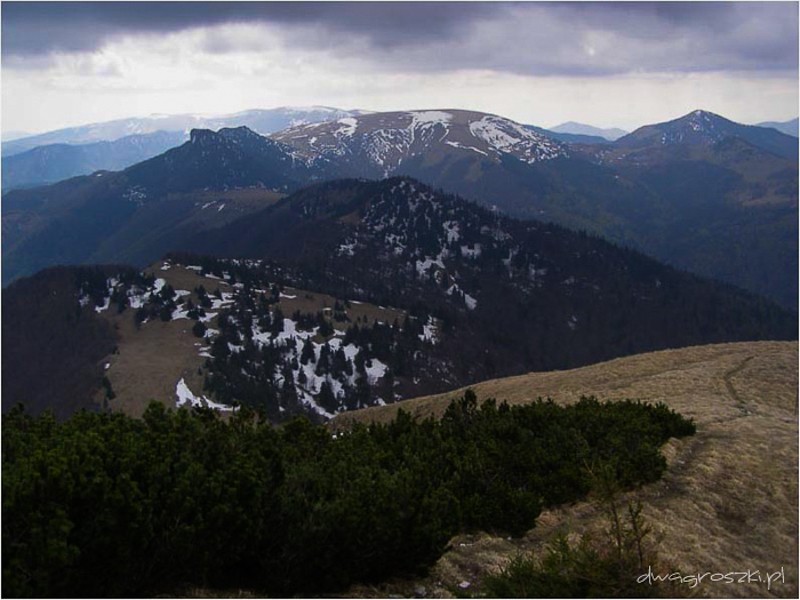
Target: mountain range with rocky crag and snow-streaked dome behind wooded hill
(700,192)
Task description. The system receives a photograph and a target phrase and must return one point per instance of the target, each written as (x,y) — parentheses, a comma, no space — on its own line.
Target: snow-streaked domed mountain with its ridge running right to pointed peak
(700,192)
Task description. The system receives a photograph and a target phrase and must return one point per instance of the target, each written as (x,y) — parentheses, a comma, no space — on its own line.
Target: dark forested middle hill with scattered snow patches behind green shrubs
(456,294)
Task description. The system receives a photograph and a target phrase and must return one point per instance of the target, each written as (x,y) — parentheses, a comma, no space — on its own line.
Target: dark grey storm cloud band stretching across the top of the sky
(571,38)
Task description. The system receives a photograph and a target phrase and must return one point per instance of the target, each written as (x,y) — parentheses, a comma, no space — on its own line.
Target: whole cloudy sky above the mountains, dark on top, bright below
(609,64)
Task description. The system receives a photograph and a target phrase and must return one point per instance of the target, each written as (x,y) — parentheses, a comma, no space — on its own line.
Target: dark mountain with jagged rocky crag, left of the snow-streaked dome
(135,215)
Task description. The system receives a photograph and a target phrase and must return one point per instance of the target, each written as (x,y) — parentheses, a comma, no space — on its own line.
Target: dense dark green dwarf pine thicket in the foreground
(108,505)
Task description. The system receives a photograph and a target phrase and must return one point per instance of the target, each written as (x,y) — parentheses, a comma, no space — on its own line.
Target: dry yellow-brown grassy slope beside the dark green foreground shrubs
(729,499)
